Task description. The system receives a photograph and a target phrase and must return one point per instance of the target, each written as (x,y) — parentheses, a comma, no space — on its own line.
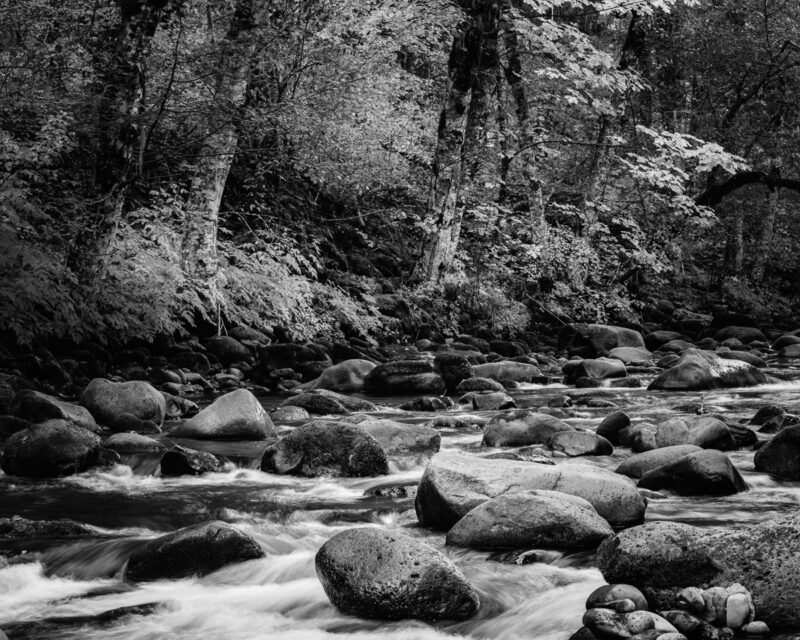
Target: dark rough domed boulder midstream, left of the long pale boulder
(325,448)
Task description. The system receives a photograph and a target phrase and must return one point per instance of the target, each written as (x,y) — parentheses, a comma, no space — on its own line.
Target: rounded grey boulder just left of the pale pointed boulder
(105,400)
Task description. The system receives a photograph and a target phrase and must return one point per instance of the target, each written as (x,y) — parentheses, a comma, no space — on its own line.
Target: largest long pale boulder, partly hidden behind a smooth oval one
(453,484)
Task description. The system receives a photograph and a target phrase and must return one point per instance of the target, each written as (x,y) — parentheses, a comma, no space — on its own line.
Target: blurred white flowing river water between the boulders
(72,589)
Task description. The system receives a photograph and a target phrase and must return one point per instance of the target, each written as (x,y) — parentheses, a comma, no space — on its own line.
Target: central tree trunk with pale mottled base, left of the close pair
(443,218)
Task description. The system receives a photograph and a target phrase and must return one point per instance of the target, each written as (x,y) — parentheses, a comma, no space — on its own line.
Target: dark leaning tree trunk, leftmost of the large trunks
(121,101)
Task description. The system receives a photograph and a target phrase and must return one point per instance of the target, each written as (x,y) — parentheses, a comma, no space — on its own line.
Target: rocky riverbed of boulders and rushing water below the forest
(440,490)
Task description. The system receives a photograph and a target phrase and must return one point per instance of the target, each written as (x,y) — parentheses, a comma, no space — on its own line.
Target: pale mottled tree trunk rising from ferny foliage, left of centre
(199,250)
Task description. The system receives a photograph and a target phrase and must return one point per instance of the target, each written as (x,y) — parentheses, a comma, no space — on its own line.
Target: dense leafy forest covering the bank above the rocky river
(323,168)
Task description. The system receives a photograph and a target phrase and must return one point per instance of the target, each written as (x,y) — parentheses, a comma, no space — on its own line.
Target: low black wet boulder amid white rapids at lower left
(192,551)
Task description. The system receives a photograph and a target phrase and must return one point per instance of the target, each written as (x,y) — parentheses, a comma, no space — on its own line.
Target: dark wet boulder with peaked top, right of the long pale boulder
(707,472)
